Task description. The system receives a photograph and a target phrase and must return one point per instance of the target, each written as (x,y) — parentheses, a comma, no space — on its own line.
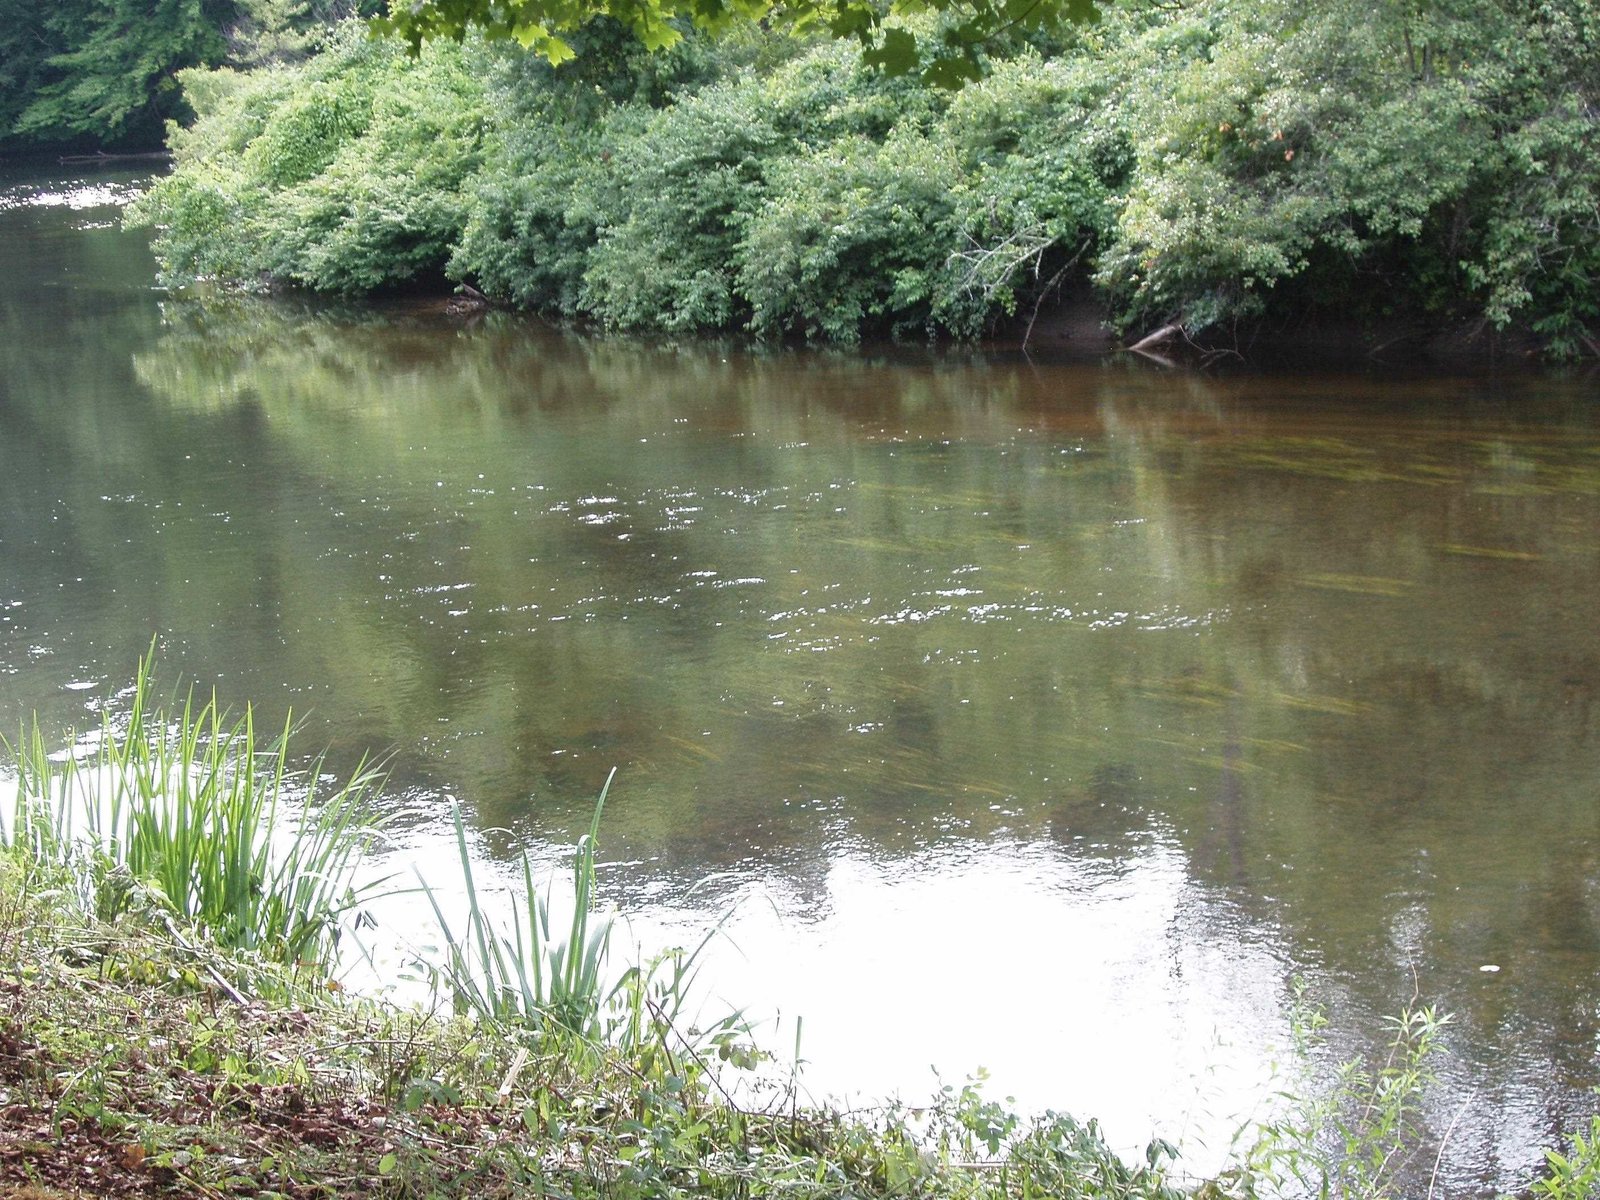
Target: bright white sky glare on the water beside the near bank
(1055,978)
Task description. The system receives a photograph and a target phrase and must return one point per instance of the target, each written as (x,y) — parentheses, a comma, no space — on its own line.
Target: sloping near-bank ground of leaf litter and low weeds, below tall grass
(142,1060)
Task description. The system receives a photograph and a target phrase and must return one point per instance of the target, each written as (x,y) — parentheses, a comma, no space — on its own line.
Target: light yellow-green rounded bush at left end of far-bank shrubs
(343,175)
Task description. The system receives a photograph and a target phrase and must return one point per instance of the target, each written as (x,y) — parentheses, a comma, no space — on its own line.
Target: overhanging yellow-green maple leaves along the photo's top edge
(542,25)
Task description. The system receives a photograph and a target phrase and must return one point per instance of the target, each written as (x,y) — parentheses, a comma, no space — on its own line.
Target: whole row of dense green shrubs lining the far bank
(1212,164)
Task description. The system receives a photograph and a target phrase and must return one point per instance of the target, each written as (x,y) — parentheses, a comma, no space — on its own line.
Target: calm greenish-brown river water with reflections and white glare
(1036,716)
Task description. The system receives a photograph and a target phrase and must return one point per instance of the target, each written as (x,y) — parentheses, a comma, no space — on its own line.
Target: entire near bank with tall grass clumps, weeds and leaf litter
(172,910)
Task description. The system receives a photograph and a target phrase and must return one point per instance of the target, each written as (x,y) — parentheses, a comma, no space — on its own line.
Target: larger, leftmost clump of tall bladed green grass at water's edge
(202,814)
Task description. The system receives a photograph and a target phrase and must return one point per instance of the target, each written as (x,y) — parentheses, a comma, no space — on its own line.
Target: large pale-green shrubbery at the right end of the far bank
(1393,161)
